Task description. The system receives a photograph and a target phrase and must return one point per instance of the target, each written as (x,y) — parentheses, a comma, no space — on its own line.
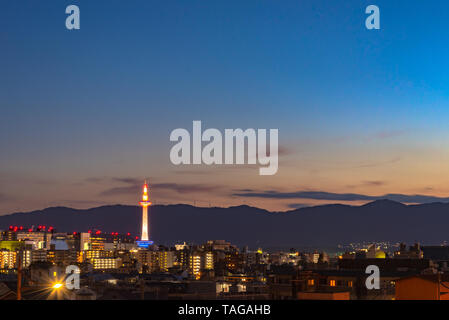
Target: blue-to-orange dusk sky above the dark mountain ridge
(85,116)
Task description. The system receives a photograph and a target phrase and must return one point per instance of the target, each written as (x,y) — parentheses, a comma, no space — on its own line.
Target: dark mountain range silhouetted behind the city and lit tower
(243,225)
